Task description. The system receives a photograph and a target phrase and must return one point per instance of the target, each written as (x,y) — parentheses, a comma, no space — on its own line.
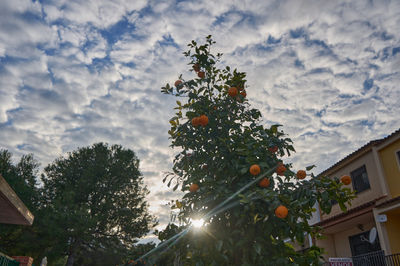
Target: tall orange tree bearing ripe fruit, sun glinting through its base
(224,148)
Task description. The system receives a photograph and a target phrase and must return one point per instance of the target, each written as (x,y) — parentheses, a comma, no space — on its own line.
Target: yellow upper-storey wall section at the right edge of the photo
(390,166)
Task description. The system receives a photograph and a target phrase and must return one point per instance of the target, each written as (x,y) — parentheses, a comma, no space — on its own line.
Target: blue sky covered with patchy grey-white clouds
(73,73)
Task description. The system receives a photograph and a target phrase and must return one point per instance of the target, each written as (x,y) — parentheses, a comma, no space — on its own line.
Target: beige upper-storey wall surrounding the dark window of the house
(374,192)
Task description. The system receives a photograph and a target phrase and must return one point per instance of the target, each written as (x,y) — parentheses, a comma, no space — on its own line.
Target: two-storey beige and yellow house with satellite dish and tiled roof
(375,172)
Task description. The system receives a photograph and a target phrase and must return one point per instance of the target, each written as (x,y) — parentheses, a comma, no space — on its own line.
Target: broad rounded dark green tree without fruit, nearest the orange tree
(96,200)
